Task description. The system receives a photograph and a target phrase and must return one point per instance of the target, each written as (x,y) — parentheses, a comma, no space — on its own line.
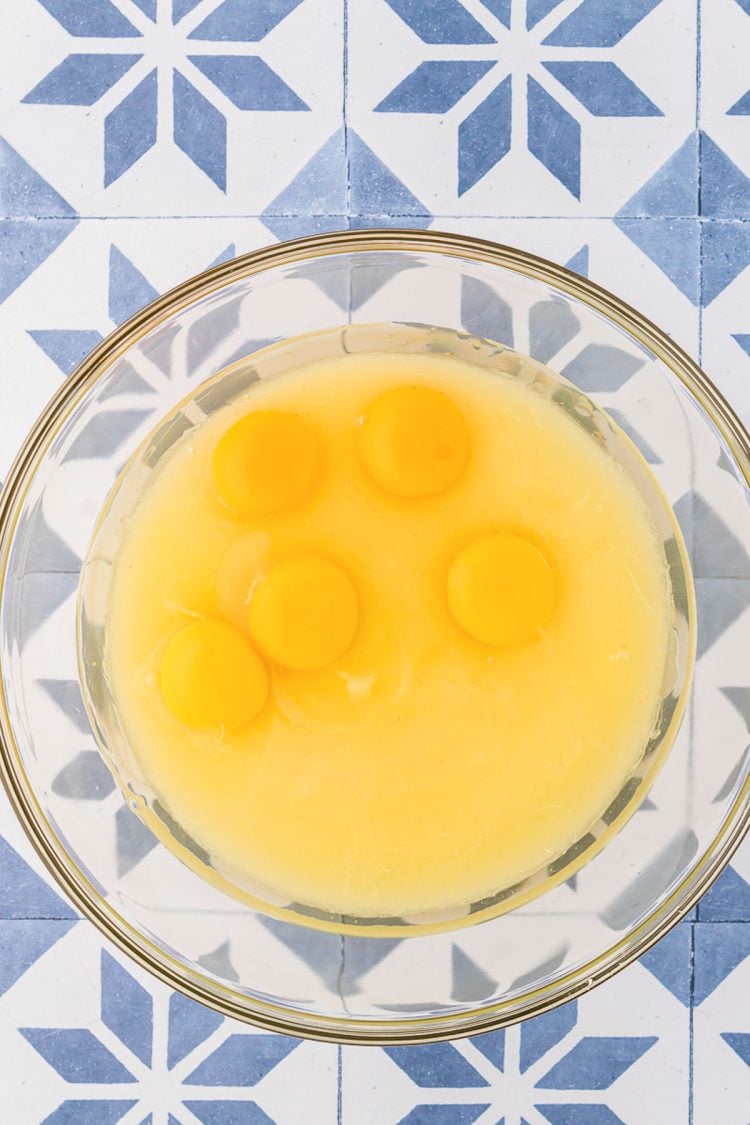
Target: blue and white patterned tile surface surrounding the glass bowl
(143,140)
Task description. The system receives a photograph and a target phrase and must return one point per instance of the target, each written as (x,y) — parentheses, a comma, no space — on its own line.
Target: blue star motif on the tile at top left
(204,60)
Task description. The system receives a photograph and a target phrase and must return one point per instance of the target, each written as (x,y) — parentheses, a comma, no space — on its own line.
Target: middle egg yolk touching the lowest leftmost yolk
(304,614)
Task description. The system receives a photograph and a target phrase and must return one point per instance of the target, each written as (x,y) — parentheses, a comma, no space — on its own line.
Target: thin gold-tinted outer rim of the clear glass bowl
(41,832)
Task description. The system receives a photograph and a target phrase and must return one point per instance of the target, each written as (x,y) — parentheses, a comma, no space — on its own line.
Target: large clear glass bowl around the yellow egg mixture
(281,965)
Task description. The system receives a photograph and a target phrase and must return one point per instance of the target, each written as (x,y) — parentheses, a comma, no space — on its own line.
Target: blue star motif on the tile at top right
(546,68)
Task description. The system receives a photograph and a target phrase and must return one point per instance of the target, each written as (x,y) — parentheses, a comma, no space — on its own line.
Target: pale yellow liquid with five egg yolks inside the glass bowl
(388,635)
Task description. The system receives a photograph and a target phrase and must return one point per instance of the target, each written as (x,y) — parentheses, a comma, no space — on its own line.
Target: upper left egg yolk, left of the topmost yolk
(267,463)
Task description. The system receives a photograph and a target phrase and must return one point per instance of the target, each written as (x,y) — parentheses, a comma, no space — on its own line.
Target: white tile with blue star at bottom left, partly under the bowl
(84,1028)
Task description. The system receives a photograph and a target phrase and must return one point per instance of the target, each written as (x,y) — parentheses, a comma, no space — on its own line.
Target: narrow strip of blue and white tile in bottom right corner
(721,1048)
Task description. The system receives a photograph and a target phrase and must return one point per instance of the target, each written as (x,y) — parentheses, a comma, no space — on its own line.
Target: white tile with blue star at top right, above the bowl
(521,109)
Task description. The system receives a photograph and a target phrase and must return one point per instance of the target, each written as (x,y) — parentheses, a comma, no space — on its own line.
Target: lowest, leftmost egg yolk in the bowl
(212,677)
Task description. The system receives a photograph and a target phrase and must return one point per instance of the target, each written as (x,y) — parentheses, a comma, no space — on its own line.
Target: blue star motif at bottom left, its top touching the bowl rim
(238,1061)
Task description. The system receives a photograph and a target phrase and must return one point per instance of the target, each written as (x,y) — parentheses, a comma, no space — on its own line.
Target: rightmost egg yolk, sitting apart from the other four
(502,590)
